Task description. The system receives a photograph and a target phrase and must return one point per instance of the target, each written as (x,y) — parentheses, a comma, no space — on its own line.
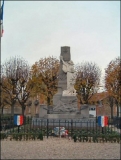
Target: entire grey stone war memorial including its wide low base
(65,103)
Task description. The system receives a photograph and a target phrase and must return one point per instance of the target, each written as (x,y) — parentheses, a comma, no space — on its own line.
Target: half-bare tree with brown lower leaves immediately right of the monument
(87,80)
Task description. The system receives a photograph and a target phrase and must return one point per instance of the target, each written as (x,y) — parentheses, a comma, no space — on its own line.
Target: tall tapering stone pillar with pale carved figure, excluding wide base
(65,101)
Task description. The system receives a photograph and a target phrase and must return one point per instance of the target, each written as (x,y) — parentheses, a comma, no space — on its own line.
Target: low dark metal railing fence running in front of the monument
(46,126)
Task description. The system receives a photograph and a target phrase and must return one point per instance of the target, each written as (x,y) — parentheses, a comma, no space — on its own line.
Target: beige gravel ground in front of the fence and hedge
(58,148)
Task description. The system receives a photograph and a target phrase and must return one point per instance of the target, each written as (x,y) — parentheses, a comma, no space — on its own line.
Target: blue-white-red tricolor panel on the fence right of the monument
(103,121)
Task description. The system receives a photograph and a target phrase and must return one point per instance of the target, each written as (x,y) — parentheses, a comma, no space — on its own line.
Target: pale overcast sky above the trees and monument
(38,29)
